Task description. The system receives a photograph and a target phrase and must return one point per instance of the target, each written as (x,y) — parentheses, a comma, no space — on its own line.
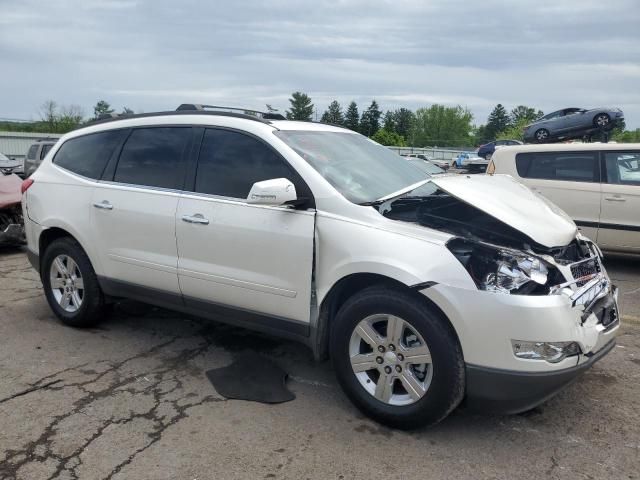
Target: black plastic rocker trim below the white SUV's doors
(279,326)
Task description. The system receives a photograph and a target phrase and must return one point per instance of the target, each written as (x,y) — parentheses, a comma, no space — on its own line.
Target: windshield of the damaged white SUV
(360,169)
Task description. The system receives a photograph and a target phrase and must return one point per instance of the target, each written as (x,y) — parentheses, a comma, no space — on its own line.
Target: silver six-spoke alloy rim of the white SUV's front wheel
(390,359)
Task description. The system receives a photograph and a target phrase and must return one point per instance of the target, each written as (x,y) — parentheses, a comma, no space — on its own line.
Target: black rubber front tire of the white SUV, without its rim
(448,381)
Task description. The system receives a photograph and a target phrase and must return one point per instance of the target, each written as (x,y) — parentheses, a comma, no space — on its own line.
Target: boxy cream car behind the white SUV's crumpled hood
(597,184)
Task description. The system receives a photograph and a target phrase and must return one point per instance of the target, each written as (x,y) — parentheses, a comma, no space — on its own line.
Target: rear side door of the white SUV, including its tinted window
(134,208)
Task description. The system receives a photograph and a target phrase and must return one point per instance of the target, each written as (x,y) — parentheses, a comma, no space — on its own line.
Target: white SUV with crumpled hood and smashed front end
(422,290)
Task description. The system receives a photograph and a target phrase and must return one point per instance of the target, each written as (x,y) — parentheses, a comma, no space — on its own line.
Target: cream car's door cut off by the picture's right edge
(620,214)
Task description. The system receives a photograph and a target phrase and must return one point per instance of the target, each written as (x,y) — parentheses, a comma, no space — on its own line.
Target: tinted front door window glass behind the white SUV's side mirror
(231,162)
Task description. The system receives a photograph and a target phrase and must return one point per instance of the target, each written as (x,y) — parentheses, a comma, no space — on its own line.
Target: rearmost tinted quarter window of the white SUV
(88,155)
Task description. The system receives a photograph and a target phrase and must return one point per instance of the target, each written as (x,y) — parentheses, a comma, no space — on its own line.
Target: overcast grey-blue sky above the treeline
(153,55)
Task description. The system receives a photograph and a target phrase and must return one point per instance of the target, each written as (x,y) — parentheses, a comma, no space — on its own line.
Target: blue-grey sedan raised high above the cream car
(571,123)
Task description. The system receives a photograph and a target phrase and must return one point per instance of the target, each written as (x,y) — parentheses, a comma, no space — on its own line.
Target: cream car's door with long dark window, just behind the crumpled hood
(571,180)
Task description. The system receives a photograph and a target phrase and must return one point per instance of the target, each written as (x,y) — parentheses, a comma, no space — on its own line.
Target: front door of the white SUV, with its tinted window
(254,258)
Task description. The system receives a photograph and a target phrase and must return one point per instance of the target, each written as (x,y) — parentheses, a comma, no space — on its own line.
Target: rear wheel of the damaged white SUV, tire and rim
(70,284)
